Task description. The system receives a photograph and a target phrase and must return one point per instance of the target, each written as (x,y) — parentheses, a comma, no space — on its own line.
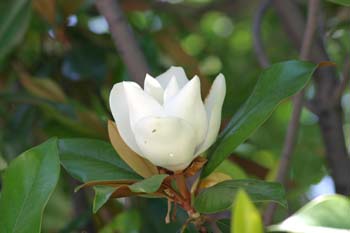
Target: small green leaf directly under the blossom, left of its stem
(149,185)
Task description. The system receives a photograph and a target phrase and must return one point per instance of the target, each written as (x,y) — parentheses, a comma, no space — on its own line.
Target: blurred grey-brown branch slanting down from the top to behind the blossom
(123,39)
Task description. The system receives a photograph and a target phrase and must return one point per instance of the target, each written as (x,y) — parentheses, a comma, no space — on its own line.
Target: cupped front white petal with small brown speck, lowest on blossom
(166,141)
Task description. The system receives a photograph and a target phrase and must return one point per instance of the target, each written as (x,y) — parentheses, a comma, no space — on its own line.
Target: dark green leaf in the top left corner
(14,20)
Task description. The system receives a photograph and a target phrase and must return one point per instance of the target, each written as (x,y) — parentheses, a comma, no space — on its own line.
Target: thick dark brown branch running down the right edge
(330,114)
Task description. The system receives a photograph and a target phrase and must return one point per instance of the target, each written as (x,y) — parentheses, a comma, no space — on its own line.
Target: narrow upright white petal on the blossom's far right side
(213,105)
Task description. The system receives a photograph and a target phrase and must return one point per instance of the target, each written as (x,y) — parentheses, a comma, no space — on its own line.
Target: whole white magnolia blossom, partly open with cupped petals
(167,122)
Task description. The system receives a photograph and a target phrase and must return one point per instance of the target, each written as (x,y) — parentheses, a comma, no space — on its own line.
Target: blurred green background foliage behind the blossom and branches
(58,64)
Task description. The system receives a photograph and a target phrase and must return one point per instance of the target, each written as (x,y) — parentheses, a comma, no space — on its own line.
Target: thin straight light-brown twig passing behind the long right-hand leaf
(293,127)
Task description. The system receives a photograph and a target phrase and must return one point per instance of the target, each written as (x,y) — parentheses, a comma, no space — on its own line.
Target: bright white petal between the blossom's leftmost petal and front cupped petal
(140,104)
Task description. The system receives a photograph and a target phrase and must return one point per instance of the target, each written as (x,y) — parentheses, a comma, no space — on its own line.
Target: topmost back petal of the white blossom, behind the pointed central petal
(176,71)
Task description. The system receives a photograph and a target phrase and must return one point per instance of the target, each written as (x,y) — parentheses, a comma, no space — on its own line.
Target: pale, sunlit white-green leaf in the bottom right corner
(326,214)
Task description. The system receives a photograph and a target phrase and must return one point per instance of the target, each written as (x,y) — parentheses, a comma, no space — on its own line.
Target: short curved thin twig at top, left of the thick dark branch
(257,40)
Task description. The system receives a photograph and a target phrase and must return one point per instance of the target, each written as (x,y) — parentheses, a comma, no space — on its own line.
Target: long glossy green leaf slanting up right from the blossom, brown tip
(275,84)
